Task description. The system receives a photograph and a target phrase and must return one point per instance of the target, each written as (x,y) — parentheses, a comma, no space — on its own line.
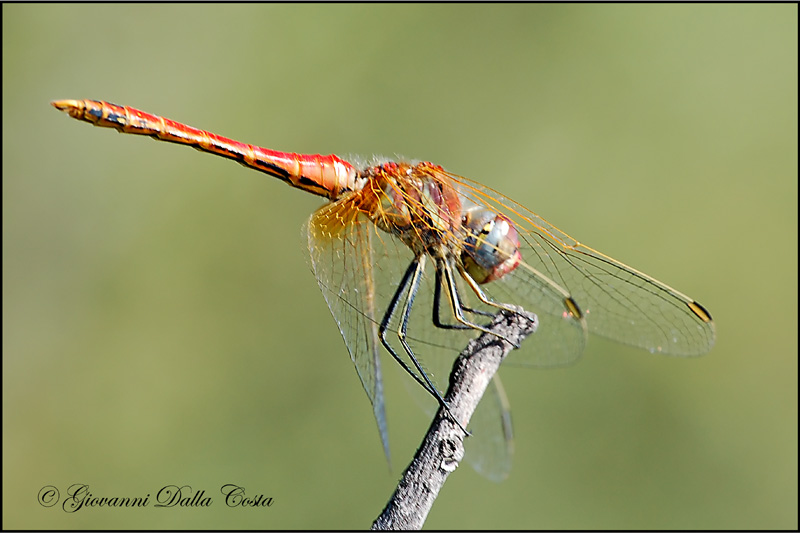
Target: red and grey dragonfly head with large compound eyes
(491,245)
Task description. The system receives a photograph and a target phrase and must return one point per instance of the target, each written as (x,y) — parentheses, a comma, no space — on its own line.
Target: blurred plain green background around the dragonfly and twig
(161,325)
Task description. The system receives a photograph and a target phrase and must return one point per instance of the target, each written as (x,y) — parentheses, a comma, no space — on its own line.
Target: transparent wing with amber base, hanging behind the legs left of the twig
(358,268)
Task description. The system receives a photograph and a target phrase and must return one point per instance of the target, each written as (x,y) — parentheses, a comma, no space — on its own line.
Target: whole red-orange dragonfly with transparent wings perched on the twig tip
(412,259)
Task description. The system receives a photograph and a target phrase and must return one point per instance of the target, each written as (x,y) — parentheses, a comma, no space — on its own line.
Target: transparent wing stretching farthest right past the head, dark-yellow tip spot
(617,301)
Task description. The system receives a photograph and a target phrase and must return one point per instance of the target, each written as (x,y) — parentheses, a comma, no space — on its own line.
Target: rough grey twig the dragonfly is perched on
(443,447)
